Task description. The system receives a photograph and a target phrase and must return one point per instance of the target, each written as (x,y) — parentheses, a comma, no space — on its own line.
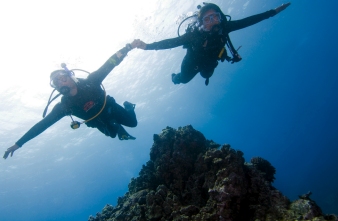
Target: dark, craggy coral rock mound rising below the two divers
(191,178)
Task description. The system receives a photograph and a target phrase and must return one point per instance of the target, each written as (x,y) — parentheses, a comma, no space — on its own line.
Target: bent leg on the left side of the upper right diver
(189,68)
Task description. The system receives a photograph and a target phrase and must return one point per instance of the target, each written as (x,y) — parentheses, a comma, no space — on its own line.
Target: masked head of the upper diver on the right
(209,16)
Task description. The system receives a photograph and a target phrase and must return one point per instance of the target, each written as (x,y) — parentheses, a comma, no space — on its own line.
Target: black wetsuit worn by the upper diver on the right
(203,48)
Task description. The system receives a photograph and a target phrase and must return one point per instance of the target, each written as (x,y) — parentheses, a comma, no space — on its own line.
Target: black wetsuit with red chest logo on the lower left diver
(87,103)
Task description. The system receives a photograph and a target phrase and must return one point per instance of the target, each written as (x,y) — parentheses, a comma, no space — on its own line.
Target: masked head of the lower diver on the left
(63,81)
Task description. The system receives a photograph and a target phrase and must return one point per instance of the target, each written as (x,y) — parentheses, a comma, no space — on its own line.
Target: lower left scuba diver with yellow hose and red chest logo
(86,99)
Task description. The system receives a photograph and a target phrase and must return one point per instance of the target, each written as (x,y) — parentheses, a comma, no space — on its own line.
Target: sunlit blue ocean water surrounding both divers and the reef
(279,102)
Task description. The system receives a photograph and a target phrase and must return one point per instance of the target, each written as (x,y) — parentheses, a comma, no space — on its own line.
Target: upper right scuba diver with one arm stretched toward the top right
(205,41)
